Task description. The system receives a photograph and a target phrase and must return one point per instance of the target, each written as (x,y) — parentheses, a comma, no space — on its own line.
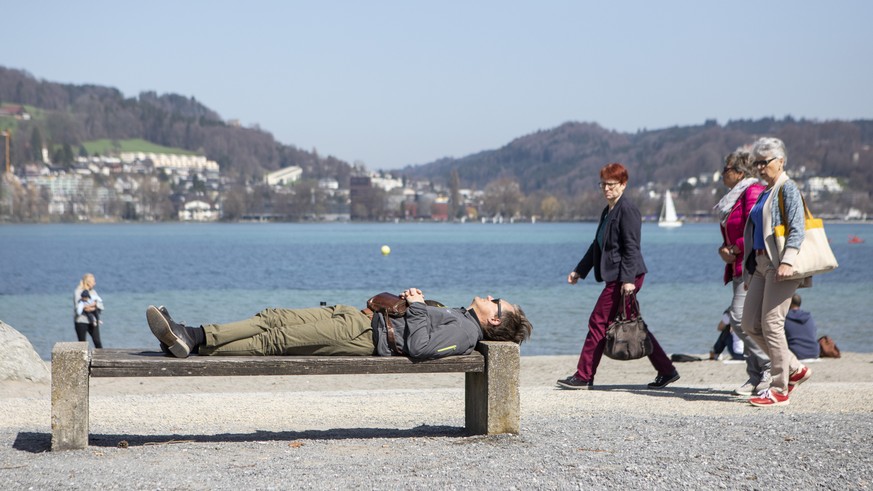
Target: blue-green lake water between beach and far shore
(223,272)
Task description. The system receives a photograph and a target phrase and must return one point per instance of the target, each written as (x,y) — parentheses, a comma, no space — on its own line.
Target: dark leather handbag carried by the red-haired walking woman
(627,337)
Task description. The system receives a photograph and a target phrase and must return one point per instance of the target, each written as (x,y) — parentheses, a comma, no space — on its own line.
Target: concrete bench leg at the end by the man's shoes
(70,373)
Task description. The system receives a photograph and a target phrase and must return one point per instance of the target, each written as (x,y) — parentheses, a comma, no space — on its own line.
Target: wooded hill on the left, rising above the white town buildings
(73,114)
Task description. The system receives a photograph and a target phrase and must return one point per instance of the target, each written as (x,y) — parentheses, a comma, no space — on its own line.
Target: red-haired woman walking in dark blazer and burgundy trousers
(616,259)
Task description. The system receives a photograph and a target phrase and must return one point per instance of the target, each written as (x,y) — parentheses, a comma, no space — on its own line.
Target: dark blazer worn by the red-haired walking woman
(620,259)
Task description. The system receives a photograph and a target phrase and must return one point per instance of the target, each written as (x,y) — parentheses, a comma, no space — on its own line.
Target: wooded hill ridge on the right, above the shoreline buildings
(566,160)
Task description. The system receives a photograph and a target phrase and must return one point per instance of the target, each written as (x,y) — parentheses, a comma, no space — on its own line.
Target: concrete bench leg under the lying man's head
(492,397)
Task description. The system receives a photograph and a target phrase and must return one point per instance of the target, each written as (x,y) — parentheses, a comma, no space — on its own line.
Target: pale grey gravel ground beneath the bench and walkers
(327,432)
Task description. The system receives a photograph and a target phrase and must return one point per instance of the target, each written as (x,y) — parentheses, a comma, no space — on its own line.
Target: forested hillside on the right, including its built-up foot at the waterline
(560,166)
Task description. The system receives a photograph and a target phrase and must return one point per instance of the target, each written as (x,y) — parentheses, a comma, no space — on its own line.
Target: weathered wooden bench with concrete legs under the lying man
(491,381)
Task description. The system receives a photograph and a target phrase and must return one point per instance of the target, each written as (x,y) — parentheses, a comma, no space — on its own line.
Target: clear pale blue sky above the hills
(391,83)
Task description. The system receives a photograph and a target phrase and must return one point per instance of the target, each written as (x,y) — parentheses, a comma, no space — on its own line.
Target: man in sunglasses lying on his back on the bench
(424,332)
